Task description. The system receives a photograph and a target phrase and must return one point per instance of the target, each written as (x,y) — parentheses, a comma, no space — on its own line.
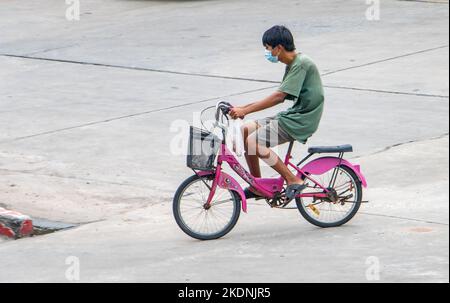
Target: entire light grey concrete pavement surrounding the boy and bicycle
(86,110)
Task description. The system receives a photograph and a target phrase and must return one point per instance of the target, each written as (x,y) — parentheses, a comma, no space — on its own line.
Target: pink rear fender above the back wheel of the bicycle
(322,165)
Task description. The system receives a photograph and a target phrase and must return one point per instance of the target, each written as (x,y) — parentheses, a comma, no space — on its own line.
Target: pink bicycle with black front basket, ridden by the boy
(207,205)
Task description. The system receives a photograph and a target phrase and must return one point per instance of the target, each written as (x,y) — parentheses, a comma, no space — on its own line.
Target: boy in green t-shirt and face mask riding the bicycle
(301,84)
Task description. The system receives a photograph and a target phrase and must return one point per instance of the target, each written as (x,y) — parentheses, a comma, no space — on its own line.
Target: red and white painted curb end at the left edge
(14,224)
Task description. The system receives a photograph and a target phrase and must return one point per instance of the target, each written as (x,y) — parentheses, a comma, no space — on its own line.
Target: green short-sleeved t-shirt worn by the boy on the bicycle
(303,85)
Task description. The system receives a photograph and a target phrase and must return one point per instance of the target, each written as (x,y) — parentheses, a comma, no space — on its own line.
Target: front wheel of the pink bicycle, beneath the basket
(198,221)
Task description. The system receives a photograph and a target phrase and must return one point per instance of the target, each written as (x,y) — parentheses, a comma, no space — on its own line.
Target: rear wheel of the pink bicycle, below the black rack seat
(324,213)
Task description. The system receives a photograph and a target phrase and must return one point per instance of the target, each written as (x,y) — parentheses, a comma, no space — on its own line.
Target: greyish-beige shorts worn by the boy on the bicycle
(270,133)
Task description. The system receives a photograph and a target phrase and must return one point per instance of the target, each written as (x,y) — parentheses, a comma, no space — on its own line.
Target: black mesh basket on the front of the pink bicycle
(202,149)
